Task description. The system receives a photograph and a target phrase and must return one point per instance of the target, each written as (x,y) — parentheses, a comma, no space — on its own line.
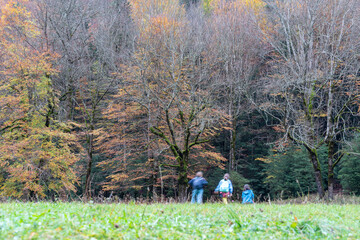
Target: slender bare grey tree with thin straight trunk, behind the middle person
(237,50)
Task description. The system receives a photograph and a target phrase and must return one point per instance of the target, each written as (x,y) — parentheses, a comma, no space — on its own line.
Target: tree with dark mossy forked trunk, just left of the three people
(173,73)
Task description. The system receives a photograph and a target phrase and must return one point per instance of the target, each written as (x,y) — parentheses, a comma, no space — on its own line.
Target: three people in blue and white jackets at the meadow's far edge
(224,189)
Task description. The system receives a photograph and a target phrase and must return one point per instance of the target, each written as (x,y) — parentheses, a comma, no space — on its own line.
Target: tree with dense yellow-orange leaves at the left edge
(37,156)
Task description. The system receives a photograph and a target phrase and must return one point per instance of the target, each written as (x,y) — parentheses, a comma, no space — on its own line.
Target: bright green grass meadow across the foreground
(178,221)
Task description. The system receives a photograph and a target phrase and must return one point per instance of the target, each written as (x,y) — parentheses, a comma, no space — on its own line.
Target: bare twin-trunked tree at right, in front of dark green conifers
(313,65)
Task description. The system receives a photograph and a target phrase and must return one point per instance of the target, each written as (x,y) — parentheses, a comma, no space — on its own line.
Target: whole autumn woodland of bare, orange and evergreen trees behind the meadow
(128,99)
